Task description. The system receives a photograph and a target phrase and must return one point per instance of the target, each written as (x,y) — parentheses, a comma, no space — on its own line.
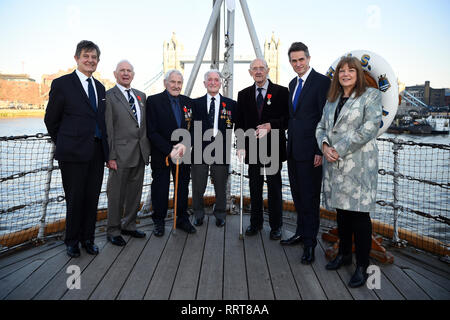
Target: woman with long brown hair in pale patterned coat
(346,134)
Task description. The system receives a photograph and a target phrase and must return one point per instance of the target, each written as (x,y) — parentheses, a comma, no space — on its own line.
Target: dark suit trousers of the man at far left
(82,182)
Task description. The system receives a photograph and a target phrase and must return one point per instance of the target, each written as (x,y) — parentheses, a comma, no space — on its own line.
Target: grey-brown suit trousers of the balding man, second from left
(124,192)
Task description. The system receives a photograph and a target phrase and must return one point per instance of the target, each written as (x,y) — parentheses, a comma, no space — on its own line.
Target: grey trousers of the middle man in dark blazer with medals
(219,174)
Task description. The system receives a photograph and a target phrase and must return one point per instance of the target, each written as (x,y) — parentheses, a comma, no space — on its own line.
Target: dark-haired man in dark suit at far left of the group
(75,120)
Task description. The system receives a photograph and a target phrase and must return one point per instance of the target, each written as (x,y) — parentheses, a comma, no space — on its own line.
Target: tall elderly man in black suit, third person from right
(264,107)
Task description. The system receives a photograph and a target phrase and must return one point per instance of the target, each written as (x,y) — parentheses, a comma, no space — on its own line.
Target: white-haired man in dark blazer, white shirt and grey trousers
(214,112)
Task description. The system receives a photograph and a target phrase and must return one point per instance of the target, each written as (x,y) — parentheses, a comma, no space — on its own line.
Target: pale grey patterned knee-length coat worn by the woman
(351,182)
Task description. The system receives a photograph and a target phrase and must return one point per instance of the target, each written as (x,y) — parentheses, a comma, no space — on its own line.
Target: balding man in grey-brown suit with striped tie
(129,151)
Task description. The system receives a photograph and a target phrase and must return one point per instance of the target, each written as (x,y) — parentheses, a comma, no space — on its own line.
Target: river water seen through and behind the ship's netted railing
(424,165)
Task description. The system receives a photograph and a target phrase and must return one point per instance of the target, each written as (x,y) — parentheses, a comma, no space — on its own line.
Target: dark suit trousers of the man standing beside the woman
(306,181)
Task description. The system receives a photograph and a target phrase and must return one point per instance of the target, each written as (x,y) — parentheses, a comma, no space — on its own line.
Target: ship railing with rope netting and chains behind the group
(413,196)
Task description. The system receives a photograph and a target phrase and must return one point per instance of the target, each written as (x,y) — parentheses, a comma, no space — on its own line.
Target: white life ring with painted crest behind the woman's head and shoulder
(384,78)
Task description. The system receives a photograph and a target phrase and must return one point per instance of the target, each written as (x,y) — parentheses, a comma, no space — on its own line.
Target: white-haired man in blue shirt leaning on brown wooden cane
(167,112)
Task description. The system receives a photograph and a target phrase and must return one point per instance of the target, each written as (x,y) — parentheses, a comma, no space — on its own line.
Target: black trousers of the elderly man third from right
(275,200)
